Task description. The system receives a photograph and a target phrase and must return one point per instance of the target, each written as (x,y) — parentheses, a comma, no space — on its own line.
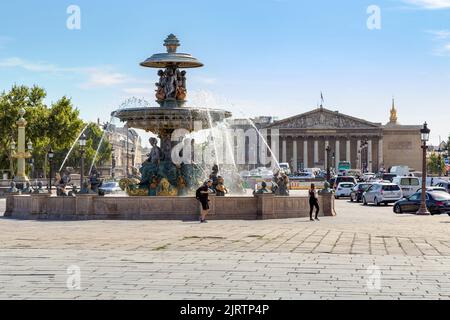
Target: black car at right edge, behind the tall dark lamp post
(437,203)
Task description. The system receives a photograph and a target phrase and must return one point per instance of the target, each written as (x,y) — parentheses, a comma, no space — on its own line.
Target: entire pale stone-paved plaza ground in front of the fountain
(362,253)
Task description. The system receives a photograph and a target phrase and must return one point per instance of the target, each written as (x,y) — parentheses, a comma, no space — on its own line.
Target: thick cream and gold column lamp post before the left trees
(21,154)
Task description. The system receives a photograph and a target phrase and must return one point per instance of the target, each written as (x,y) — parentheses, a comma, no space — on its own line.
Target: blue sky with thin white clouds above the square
(262,57)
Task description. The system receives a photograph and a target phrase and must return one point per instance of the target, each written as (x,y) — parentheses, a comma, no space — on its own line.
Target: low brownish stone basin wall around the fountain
(92,207)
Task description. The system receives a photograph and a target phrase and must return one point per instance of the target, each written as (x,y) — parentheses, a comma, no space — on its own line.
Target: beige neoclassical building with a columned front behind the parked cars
(303,140)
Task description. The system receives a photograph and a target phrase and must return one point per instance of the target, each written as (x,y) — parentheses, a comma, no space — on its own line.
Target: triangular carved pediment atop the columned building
(322,118)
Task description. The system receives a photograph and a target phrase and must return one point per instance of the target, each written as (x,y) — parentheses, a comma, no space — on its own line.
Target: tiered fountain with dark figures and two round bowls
(159,175)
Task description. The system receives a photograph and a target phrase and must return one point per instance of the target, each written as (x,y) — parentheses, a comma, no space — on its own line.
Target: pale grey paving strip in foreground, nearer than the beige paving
(105,275)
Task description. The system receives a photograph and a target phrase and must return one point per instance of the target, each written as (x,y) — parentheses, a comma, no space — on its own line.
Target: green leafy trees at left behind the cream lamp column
(56,126)
